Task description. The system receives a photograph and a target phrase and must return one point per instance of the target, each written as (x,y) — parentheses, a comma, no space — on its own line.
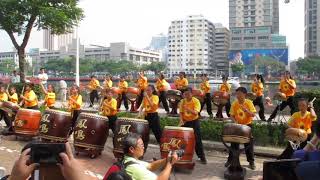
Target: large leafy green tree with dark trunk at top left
(18,17)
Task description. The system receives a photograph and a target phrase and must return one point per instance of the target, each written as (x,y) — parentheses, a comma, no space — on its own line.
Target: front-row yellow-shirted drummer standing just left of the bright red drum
(150,105)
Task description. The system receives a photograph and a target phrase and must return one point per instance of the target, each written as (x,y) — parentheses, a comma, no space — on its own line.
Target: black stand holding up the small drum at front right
(235,171)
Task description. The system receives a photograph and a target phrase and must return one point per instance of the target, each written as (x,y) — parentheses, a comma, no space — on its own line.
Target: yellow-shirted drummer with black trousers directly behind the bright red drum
(189,109)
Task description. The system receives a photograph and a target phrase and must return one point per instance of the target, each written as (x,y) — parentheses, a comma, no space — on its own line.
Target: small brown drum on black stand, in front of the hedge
(236,133)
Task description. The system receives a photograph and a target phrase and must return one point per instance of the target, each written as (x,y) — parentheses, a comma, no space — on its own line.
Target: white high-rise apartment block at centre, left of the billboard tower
(191,45)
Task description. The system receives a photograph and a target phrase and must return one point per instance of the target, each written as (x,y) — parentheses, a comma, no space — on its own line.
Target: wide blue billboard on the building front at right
(247,56)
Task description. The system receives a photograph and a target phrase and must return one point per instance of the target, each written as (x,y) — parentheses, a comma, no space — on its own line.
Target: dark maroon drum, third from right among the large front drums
(90,134)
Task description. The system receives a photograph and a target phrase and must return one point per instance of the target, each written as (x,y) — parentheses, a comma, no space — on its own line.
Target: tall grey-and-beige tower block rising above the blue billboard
(254,24)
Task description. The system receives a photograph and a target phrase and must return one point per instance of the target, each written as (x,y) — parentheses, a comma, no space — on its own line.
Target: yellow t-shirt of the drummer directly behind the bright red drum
(193,104)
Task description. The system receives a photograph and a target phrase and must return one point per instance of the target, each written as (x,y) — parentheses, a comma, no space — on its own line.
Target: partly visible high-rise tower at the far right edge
(312,28)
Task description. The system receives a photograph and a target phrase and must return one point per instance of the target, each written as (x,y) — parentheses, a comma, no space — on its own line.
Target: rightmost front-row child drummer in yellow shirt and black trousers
(303,119)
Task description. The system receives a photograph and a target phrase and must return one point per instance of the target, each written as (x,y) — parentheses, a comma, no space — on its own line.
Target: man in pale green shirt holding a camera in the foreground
(133,148)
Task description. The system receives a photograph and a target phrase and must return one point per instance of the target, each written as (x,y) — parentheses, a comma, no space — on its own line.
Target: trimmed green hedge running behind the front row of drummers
(264,134)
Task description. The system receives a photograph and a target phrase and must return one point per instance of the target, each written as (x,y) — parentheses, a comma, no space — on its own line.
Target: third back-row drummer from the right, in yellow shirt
(224,87)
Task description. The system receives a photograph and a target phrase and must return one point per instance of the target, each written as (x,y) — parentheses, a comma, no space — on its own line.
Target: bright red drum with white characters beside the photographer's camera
(175,138)
